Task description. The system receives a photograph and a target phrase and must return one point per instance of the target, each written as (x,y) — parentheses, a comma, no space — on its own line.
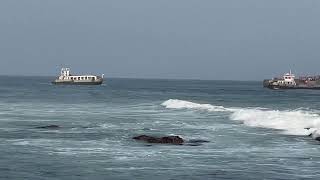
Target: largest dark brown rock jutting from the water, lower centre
(160,140)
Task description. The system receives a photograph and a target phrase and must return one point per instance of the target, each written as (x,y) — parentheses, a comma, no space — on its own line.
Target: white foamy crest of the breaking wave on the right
(291,122)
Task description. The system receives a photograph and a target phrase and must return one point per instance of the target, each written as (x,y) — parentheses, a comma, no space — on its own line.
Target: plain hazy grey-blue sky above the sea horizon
(167,39)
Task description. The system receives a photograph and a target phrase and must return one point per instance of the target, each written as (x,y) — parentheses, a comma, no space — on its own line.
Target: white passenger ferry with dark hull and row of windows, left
(66,78)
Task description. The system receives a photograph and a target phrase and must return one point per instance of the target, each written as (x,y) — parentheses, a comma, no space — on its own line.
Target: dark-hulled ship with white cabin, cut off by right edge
(289,81)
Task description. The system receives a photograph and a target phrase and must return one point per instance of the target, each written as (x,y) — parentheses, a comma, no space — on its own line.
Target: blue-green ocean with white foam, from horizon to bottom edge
(253,133)
